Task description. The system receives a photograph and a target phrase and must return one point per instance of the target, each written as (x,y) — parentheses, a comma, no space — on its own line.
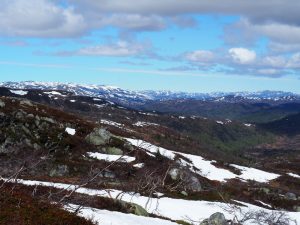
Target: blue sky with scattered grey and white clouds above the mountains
(187,45)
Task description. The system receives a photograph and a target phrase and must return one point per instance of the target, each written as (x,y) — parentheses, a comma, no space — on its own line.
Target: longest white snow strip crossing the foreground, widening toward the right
(176,209)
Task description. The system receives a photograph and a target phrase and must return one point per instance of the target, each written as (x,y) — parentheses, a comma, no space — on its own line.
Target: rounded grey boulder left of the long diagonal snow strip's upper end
(99,136)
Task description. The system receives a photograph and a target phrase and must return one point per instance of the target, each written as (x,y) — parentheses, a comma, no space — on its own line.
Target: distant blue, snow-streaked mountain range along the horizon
(127,97)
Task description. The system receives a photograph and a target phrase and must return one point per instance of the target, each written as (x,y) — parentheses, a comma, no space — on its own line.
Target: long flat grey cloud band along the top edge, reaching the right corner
(257,11)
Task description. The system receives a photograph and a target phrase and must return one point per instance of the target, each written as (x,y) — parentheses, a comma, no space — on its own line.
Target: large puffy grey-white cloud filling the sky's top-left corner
(39,18)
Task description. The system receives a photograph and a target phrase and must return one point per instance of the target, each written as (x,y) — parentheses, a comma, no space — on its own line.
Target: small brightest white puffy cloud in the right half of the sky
(242,55)
